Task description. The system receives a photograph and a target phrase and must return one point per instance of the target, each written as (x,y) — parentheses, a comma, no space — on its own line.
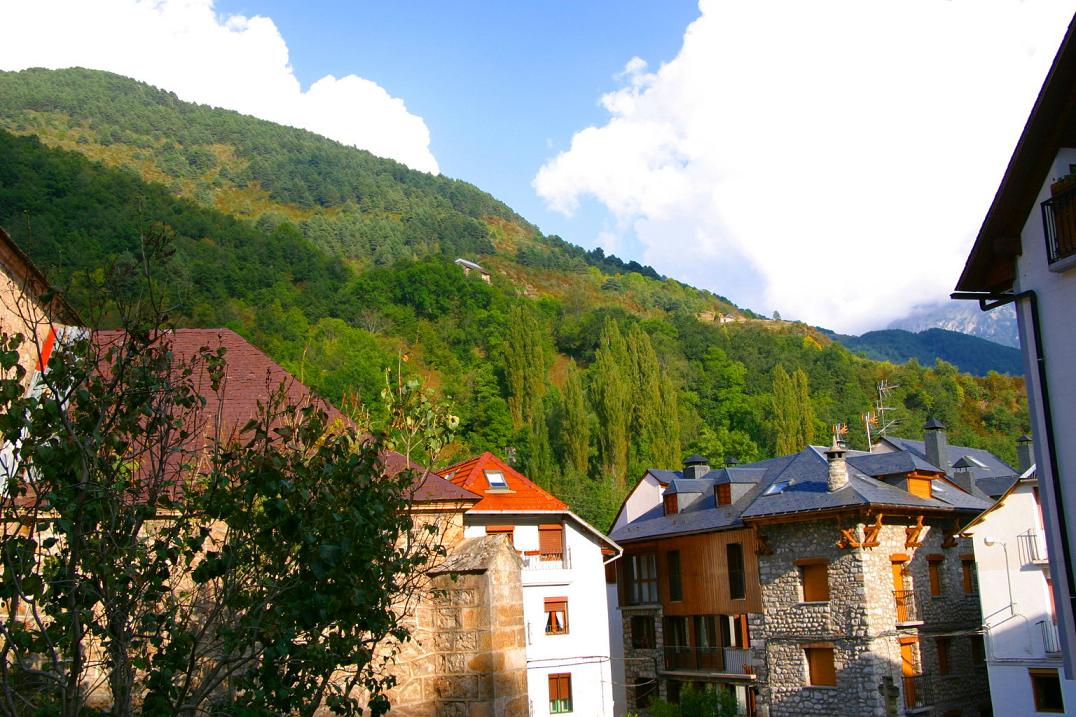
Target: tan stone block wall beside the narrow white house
(468,656)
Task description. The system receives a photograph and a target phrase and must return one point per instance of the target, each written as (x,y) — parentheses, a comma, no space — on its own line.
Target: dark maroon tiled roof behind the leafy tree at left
(250,377)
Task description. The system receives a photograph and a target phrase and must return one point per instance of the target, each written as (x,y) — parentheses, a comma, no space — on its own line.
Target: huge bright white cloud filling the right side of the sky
(829,160)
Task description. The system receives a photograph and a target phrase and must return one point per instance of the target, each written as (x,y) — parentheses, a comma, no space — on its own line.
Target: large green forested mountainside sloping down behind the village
(339,264)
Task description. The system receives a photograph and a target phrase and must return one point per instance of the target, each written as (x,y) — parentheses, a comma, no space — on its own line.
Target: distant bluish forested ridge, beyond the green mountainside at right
(968,354)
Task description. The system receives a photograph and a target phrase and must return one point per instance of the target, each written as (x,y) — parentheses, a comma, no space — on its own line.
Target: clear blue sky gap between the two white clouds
(501,86)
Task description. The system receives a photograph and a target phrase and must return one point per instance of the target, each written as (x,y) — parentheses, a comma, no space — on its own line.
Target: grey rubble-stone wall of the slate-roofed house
(860,622)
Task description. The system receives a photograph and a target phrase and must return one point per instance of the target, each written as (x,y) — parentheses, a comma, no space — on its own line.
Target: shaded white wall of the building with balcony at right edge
(1056,292)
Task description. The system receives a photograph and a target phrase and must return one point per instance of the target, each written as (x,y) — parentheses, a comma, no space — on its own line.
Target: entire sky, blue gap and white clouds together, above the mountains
(831,160)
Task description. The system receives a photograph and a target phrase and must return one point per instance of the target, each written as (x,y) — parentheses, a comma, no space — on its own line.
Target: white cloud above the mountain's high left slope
(232,62)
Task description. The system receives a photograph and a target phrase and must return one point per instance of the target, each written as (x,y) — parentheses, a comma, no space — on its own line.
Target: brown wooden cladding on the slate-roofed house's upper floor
(713,575)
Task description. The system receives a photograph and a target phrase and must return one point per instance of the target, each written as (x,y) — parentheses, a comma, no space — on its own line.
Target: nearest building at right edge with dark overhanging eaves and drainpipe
(1026,255)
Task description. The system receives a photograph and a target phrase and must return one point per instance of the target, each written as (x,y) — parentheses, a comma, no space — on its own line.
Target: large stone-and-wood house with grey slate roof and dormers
(828,582)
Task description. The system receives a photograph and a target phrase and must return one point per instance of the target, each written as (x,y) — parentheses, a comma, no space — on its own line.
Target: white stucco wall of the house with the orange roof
(585,652)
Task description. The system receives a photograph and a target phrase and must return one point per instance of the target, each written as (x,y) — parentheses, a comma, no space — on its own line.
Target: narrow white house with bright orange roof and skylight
(564,586)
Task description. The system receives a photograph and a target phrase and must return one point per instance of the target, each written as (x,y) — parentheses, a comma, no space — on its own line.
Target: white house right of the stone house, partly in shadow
(1024,651)
